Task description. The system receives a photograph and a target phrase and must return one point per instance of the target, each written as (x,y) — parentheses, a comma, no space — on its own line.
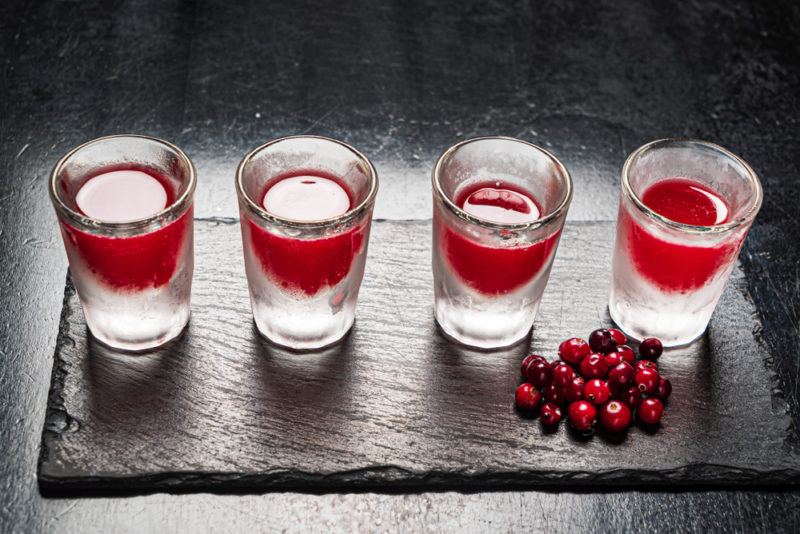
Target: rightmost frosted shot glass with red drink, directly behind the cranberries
(667,276)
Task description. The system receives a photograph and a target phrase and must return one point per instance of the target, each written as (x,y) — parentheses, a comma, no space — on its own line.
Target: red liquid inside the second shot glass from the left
(307,265)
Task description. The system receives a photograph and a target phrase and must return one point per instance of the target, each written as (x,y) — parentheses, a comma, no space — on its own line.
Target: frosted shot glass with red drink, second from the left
(304,275)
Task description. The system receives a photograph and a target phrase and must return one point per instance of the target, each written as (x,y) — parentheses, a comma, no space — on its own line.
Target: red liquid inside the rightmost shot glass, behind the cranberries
(673,266)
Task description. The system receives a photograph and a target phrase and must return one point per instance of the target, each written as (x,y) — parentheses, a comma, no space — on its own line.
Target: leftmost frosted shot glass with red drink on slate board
(133,277)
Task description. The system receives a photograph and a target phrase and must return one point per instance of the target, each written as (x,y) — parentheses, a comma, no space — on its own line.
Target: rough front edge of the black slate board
(391,478)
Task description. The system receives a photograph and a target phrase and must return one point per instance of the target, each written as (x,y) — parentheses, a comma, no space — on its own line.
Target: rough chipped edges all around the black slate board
(59,421)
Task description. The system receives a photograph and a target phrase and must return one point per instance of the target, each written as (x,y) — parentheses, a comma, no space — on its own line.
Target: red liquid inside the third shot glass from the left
(495,270)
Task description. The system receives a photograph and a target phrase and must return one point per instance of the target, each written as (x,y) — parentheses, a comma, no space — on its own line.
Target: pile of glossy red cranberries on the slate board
(599,380)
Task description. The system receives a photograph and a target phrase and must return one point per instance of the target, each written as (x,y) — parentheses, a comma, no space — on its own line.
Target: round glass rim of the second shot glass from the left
(350,214)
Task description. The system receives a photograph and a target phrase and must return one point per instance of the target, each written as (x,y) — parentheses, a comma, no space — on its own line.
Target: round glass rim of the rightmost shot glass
(749,215)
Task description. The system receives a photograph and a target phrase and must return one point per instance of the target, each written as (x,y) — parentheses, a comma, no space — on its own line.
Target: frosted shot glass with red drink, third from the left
(489,276)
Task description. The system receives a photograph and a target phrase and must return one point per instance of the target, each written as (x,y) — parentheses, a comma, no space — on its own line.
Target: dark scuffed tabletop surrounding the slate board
(401,82)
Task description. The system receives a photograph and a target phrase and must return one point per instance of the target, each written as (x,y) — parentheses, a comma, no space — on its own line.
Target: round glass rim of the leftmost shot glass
(134,224)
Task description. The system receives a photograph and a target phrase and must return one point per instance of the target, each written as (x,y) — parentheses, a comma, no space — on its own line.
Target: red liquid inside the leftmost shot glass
(128,263)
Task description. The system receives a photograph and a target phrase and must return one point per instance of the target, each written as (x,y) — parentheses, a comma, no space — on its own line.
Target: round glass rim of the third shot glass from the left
(538,223)
